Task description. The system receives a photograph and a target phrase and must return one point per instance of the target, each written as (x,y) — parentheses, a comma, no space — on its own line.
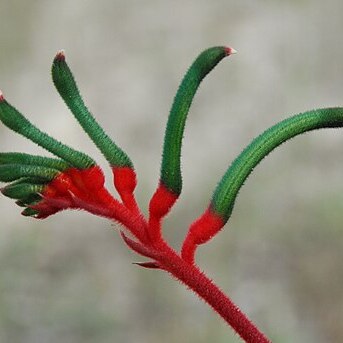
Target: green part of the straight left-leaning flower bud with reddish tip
(67,87)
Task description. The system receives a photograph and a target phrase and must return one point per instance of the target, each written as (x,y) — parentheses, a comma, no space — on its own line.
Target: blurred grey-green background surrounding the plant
(69,278)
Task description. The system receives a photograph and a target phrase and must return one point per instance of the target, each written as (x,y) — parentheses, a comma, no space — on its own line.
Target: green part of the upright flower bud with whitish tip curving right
(171,159)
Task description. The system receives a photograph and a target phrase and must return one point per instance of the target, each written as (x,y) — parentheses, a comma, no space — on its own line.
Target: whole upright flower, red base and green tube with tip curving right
(170,184)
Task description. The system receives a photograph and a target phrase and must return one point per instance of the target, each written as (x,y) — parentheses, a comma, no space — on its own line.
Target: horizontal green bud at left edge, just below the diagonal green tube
(11,172)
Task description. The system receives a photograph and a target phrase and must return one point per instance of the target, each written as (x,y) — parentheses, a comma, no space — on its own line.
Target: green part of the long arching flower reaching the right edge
(226,192)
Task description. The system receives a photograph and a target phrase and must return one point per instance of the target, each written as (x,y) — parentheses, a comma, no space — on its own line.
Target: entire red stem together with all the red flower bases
(92,196)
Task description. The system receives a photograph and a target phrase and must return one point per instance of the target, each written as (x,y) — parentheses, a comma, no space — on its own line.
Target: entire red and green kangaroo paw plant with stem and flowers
(45,185)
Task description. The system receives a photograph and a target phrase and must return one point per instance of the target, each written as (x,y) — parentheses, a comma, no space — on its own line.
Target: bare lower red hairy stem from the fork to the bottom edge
(198,282)
